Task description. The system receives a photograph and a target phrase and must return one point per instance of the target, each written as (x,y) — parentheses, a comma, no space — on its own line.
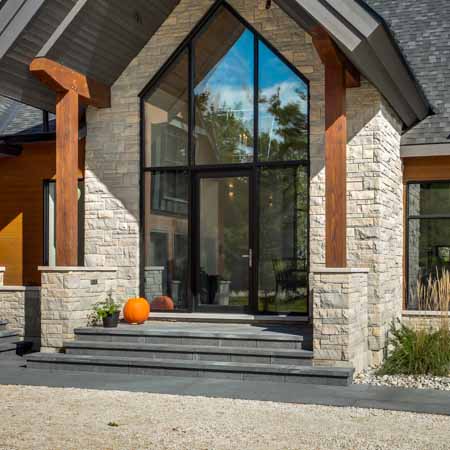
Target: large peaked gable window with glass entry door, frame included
(225,170)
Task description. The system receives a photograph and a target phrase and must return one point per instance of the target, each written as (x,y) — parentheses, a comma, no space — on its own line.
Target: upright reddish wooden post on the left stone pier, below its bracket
(67,106)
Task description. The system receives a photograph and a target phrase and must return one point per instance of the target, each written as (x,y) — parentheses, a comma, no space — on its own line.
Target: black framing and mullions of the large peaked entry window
(193,169)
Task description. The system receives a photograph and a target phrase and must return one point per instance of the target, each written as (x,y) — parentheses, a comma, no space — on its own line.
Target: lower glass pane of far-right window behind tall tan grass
(428,256)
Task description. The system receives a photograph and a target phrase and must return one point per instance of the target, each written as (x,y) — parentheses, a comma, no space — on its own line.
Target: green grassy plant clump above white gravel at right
(418,352)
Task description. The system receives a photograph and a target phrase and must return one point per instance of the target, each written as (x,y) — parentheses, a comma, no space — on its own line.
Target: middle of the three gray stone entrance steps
(190,352)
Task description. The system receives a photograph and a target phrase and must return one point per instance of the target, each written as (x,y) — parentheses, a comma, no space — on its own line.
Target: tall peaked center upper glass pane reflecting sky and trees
(224,92)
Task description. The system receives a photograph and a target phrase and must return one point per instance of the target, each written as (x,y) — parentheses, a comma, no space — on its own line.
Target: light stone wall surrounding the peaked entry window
(112,142)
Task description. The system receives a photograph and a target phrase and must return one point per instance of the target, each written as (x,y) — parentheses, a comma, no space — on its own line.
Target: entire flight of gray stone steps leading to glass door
(224,351)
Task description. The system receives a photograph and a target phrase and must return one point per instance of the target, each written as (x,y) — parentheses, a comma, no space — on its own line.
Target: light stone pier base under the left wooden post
(68,295)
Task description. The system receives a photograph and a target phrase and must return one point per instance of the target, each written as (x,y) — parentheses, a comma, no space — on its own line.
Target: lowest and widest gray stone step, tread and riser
(183,368)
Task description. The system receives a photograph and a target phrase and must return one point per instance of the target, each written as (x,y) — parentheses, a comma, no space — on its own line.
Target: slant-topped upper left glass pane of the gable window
(166,117)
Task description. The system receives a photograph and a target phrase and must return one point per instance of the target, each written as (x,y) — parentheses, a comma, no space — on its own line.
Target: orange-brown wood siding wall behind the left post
(22,210)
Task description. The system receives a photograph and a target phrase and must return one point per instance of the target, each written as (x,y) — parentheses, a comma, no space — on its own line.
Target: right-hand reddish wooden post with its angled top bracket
(339,75)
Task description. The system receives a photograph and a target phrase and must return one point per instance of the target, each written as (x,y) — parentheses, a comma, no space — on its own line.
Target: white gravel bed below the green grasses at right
(405,381)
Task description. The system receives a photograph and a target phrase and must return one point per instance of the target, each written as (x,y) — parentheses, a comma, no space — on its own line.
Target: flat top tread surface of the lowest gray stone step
(277,369)
